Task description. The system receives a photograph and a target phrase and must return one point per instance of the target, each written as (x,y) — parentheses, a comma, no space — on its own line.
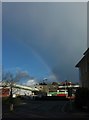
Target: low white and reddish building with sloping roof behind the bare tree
(17,90)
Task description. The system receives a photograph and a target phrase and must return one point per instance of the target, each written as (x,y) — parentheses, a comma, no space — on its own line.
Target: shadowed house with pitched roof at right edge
(83,66)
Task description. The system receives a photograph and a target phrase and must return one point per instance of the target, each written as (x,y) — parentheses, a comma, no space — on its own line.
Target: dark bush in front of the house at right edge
(81,98)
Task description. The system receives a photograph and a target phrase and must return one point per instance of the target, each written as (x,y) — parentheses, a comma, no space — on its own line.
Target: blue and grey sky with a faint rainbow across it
(44,39)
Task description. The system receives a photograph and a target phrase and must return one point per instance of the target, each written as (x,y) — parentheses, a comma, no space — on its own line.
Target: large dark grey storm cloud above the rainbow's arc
(56,31)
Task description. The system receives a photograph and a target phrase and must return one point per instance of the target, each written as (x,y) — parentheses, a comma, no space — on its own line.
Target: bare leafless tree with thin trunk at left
(10,79)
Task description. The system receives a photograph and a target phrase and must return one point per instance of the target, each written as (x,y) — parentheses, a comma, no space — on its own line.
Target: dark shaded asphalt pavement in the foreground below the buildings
(45,109)
